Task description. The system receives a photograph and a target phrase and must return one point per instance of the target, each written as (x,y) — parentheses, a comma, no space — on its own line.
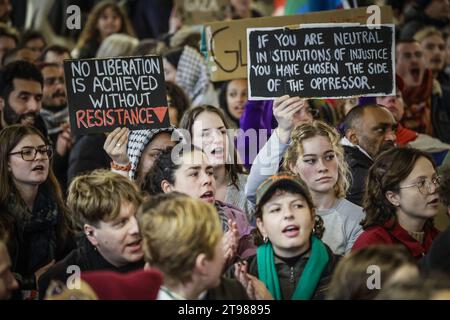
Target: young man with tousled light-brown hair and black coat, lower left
(105,204)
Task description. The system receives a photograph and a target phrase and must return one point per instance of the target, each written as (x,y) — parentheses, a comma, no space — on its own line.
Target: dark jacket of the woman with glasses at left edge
(35,238)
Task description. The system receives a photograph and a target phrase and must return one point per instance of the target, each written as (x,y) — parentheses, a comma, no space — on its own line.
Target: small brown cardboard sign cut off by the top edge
(201,11)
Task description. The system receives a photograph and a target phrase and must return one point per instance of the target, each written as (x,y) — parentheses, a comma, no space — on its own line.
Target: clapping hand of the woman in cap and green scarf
(256,289)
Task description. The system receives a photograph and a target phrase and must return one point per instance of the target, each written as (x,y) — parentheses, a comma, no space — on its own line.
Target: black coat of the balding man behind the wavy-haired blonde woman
(359,165)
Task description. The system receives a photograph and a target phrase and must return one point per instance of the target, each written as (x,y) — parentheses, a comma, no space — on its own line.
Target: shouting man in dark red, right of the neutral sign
(427,102)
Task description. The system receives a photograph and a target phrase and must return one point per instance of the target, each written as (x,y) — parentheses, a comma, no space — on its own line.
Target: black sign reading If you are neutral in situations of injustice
(321,61)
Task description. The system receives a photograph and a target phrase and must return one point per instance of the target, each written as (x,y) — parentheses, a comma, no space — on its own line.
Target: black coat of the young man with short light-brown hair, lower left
(87,258)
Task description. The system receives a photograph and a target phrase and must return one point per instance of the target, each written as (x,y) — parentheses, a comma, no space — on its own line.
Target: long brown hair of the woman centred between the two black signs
(187,122)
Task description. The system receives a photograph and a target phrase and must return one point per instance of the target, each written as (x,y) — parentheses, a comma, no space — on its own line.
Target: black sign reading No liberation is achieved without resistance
(116,92)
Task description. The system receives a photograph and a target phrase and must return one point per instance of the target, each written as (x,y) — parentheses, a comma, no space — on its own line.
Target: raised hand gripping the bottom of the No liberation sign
(116,146)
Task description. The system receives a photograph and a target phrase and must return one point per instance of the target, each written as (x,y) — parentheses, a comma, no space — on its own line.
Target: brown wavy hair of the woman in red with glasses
(389,169)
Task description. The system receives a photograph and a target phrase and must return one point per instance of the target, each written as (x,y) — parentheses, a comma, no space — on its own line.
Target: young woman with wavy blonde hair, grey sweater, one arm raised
(315,155)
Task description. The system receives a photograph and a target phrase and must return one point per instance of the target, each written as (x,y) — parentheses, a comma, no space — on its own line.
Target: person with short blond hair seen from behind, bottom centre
(182,237)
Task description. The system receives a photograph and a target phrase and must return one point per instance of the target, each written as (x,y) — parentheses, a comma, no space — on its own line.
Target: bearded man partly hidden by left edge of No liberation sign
(56,116)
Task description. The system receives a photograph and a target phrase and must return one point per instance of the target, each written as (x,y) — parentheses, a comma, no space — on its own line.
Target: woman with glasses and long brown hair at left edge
(32,211)
